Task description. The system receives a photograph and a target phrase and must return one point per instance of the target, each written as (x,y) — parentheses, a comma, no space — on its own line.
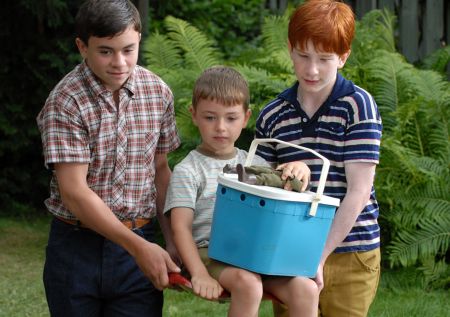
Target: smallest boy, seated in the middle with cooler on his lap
(220,111)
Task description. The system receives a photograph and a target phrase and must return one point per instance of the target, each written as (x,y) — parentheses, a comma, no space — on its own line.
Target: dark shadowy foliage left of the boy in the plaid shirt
(37,50)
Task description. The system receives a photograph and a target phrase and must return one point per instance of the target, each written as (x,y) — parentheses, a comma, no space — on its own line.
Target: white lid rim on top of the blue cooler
(231,180)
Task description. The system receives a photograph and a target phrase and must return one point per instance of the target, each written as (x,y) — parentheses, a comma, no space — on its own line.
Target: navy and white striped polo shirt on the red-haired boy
(346,128)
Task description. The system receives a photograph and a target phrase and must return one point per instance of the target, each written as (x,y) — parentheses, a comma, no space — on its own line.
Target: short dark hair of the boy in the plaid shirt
(106,18)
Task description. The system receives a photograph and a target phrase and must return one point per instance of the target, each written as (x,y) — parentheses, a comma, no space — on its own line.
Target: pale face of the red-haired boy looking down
(315,70)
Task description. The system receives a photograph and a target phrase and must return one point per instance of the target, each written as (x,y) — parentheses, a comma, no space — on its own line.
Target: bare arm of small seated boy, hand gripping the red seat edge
(202,283)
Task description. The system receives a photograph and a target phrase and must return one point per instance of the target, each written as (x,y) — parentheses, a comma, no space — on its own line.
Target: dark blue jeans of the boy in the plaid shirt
(88,275)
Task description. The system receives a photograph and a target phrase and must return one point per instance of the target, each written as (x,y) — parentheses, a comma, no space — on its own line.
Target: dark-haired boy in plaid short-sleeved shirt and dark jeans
(106,130)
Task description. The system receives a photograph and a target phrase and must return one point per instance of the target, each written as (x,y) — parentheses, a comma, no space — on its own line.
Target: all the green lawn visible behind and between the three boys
(22,252)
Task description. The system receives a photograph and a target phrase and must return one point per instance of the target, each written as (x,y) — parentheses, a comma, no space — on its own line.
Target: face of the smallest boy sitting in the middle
(219,125)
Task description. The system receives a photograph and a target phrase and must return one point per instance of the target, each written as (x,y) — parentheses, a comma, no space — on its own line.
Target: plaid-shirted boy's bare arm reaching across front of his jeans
(90,209)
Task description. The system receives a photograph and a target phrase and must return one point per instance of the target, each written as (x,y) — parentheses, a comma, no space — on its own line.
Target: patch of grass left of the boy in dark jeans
(22,252)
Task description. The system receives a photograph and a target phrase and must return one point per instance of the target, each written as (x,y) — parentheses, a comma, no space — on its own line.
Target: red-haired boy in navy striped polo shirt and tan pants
(327,113)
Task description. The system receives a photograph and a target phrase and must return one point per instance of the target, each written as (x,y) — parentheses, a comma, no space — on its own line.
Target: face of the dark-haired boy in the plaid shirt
(112,59)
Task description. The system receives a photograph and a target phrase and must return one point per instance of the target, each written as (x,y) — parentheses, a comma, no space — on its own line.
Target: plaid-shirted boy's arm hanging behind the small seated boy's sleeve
(162,178)
